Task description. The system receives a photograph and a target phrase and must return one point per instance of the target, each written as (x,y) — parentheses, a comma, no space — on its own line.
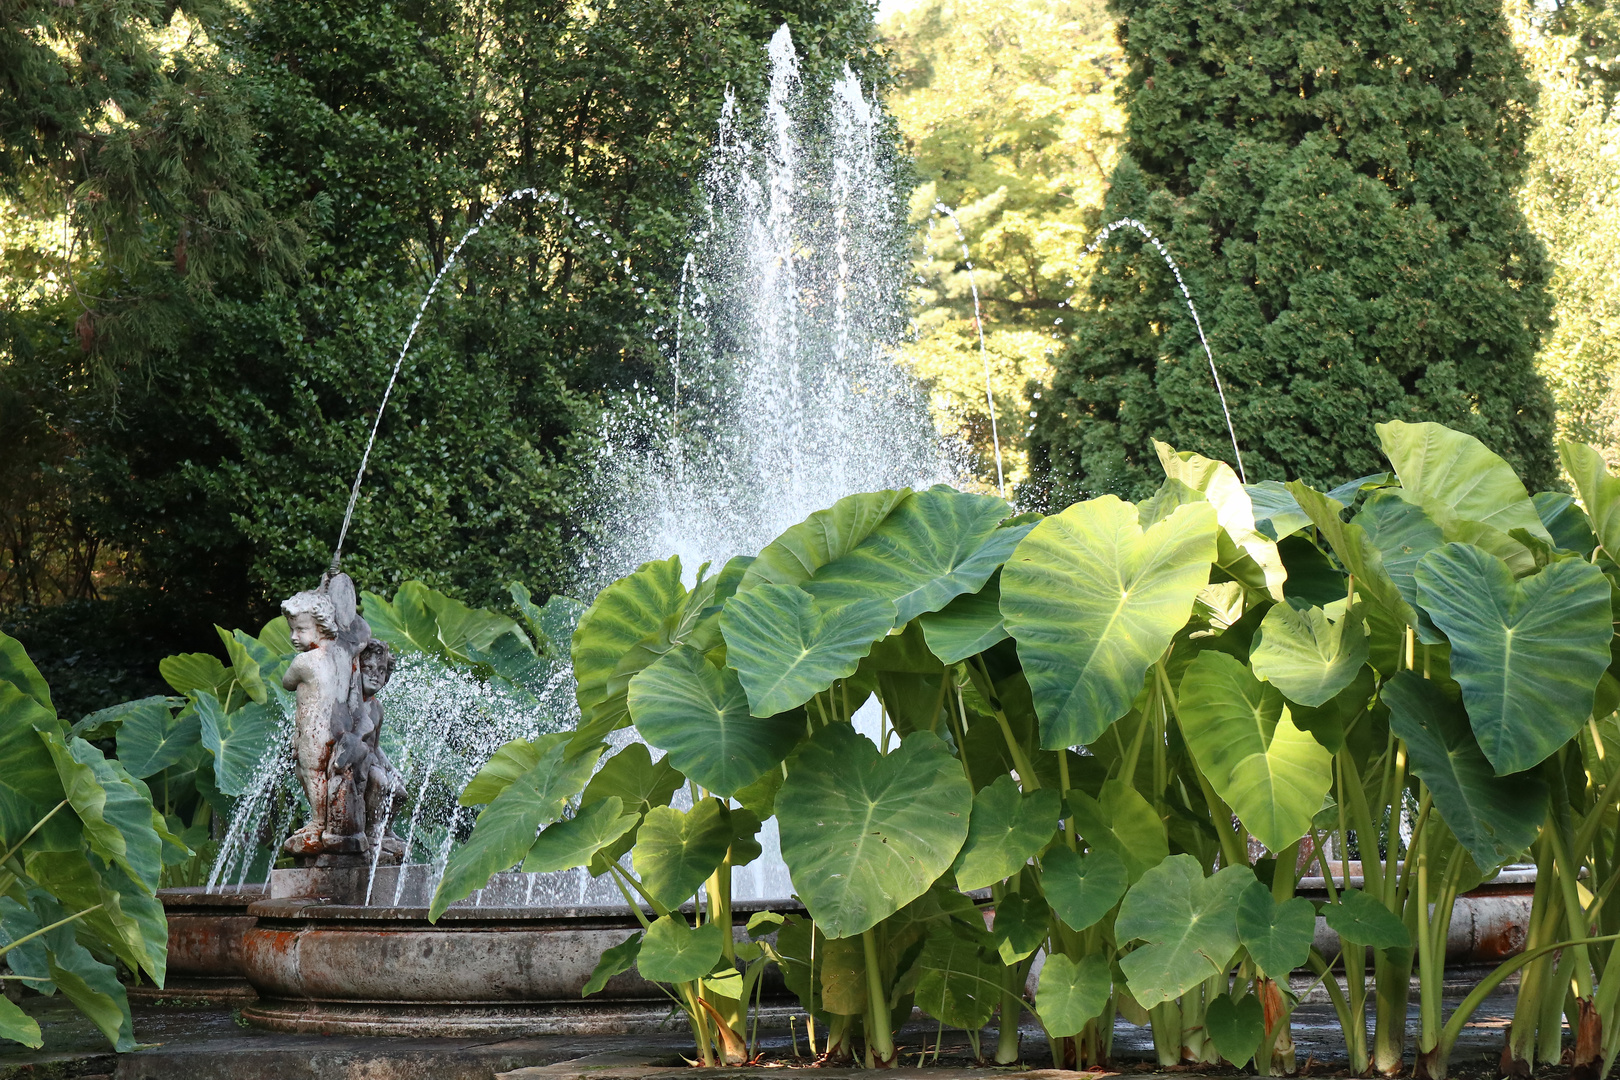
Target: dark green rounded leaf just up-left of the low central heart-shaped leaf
(699,713)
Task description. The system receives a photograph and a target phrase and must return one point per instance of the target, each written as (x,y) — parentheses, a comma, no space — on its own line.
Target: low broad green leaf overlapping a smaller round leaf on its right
(1188,927)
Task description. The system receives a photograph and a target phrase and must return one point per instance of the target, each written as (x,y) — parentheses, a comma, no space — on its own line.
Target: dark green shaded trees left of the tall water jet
(218,226)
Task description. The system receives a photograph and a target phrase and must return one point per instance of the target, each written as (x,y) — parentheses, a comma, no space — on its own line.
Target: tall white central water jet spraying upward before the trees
(790,393)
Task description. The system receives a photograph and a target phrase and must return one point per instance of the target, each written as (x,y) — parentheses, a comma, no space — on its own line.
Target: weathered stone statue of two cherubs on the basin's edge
(352,788)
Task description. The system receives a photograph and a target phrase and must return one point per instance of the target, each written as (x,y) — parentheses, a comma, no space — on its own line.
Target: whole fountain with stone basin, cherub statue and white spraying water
(787,398)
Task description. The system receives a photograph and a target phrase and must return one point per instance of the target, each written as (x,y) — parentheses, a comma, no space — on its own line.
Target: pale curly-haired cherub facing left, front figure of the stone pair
(328,634)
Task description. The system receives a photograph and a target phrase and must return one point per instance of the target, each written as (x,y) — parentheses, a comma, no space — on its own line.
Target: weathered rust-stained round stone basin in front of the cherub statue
(497,972)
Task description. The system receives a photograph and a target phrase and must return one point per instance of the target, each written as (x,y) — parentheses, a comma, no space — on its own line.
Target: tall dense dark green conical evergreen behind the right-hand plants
(1337,184)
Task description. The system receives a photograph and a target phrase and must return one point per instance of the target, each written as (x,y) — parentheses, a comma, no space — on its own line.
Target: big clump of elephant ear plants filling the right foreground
(1111,744)
